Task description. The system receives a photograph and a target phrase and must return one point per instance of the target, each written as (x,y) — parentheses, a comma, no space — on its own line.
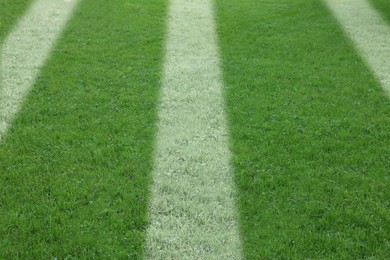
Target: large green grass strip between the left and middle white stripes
(75,165)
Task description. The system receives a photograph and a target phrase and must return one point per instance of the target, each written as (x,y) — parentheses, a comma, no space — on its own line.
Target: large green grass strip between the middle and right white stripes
(309,129)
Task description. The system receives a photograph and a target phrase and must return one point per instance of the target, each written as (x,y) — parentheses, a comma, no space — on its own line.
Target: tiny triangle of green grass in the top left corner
(10,11)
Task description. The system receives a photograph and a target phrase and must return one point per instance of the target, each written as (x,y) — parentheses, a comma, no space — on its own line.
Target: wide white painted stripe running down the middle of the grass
(192,209)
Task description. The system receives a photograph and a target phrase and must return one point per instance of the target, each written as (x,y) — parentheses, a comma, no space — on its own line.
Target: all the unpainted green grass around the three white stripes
(308,125)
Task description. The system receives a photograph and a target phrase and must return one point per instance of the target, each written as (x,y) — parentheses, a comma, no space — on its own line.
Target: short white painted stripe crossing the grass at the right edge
(369,31)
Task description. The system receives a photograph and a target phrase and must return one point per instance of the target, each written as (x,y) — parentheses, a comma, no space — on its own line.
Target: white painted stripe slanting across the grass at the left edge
(25,51)
